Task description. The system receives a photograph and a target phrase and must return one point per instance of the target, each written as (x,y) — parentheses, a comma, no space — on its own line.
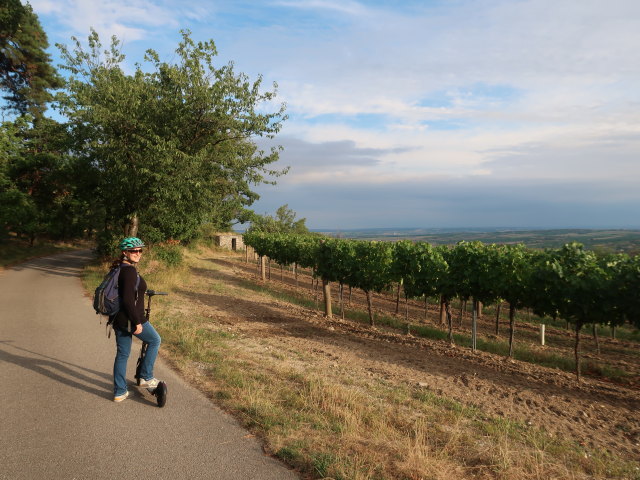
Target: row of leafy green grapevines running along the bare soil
(571,282)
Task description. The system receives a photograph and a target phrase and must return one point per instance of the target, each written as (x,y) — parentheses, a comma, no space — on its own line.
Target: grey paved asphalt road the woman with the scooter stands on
(57,416)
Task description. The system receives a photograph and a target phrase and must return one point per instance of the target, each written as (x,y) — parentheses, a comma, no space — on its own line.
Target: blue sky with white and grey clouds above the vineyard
(457,113)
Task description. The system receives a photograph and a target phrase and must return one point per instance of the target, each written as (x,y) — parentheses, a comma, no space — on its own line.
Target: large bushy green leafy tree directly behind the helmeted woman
(171,146)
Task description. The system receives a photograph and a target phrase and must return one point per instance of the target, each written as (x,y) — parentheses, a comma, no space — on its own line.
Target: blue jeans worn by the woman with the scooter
(123,349)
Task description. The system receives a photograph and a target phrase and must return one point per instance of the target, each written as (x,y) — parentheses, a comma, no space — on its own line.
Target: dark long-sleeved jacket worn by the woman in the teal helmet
(131,302)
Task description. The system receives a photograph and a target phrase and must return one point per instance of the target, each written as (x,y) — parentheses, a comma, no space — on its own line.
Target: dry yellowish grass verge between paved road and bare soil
(328,420)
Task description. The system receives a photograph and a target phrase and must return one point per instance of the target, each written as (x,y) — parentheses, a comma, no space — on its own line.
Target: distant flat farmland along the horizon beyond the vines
(627,241)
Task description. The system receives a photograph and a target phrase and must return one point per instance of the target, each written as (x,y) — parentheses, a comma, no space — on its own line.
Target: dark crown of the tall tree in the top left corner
(26,73)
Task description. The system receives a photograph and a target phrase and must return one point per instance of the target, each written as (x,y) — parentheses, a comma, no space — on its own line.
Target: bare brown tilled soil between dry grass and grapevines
(597,414)
